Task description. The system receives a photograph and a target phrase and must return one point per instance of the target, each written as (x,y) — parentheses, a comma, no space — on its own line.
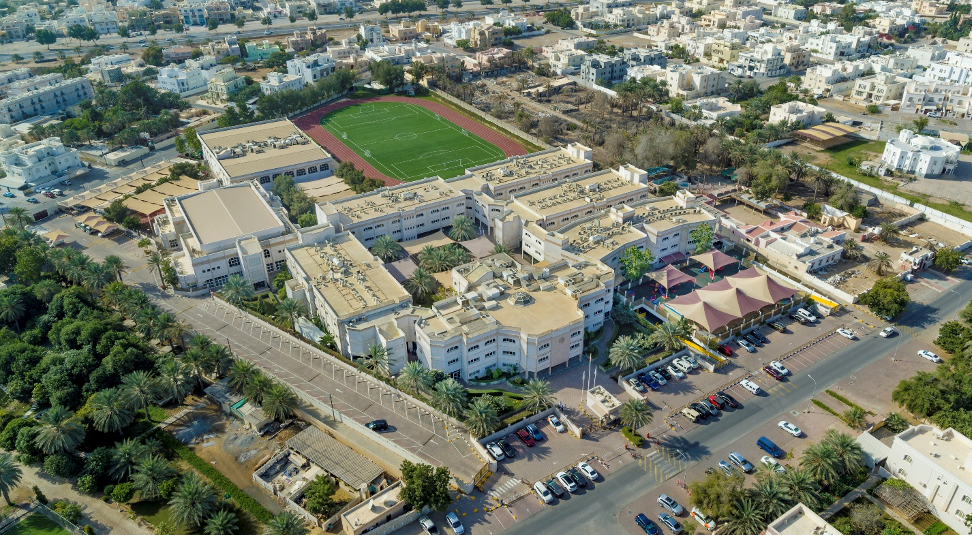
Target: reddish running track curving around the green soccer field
(310,123)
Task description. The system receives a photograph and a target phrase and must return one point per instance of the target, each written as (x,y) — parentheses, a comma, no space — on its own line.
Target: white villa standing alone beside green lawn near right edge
(921,156)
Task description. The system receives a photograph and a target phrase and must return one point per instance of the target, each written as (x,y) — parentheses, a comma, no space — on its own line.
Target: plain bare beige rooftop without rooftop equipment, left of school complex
(227,213)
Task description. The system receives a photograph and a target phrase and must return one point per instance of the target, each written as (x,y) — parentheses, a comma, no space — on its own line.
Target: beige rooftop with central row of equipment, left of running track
(263,147)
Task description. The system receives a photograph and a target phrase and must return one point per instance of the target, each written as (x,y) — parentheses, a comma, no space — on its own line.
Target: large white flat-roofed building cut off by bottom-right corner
(936,463)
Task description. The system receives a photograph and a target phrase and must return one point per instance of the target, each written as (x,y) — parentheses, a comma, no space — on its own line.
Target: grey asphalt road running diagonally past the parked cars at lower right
(598,512)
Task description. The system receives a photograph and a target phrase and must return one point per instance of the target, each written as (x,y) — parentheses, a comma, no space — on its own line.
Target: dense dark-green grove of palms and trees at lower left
(84,348)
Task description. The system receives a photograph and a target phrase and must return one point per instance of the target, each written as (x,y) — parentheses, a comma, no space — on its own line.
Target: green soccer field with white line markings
(408,142)
